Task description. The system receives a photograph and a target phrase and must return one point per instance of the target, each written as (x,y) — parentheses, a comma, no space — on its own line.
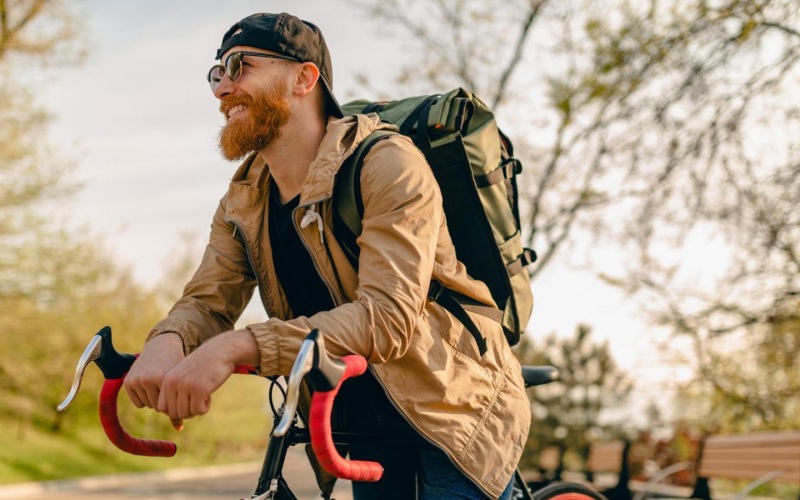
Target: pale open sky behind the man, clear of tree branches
(141,123)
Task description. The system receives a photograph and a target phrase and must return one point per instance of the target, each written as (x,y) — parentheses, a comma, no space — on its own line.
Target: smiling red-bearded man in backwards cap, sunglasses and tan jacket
(466,415)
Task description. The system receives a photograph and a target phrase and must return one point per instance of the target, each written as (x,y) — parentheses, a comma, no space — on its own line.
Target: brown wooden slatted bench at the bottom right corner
(758,458)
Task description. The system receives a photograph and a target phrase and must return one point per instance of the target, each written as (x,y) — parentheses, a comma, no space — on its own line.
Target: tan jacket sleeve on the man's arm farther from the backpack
(217,293)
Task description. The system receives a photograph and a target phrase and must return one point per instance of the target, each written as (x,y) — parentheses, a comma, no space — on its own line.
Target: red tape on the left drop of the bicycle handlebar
(117,435)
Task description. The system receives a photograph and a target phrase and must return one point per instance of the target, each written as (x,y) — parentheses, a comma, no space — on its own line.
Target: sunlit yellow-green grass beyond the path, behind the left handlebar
(235,430)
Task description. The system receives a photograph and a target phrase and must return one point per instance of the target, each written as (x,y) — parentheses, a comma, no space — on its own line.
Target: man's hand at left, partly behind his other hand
(160,355)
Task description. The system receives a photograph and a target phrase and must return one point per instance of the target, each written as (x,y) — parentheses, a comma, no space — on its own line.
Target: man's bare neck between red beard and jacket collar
(290,155)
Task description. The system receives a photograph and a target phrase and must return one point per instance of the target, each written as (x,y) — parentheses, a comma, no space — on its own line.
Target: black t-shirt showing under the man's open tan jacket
(305,291)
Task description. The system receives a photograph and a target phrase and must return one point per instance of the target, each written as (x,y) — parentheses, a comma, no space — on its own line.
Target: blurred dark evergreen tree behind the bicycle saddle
(569,413)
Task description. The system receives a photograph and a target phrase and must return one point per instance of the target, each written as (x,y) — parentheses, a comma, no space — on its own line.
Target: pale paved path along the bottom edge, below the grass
(223,482)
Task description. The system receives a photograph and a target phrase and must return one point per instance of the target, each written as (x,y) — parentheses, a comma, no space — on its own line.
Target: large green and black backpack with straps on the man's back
(474,166)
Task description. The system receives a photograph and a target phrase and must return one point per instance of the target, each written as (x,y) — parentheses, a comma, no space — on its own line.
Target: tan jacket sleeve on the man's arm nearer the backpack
(402,219)
